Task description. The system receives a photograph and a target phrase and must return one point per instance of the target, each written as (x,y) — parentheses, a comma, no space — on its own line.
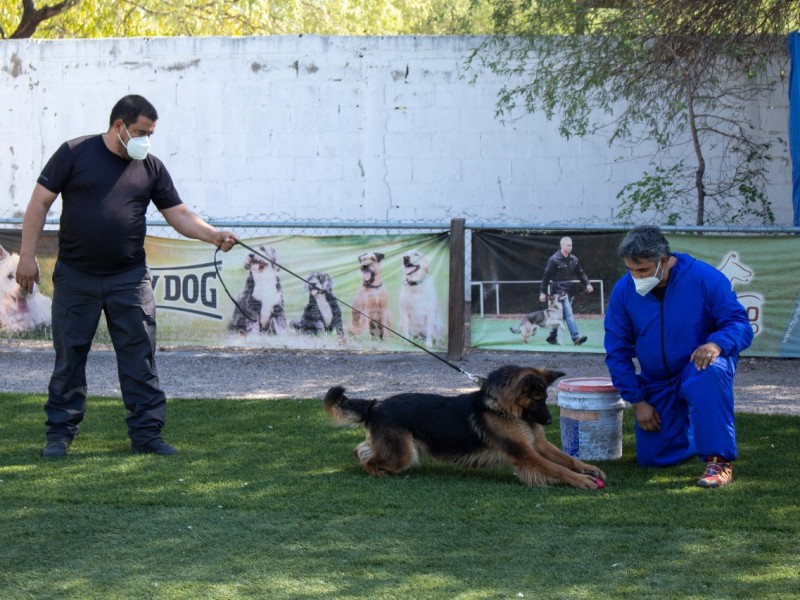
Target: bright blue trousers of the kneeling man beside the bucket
(696,409)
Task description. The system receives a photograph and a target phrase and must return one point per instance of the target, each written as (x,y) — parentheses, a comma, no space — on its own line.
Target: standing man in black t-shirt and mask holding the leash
(106,183)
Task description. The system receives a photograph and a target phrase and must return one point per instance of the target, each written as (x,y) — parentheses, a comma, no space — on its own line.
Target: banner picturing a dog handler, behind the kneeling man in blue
(507,271)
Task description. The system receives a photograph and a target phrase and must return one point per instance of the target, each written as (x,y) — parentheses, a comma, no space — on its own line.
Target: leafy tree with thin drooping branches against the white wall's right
(678,76)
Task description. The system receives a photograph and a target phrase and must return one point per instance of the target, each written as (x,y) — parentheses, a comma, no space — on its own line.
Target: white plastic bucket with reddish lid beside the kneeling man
(591,418)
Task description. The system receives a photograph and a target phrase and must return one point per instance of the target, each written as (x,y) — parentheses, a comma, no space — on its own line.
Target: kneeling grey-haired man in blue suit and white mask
(680,319)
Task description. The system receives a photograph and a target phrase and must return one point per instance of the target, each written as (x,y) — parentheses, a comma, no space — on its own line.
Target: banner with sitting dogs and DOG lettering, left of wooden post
(292,292)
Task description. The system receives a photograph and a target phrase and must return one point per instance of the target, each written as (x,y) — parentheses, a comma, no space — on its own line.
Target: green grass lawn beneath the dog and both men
(267,501)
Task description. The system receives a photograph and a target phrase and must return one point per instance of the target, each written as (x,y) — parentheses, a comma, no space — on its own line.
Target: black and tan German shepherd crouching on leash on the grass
(498,425)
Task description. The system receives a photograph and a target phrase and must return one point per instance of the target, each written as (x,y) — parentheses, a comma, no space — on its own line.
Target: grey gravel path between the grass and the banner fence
(763,385)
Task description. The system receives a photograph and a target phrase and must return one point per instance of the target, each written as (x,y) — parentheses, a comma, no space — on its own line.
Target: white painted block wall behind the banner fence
(317,128)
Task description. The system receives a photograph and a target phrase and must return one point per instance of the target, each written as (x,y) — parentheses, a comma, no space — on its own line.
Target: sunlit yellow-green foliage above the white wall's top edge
(149,18)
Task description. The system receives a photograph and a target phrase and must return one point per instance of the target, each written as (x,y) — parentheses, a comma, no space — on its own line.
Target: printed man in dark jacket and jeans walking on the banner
(562,276)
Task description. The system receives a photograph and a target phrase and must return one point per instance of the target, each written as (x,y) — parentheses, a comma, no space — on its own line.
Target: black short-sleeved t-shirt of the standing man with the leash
(104,204)
